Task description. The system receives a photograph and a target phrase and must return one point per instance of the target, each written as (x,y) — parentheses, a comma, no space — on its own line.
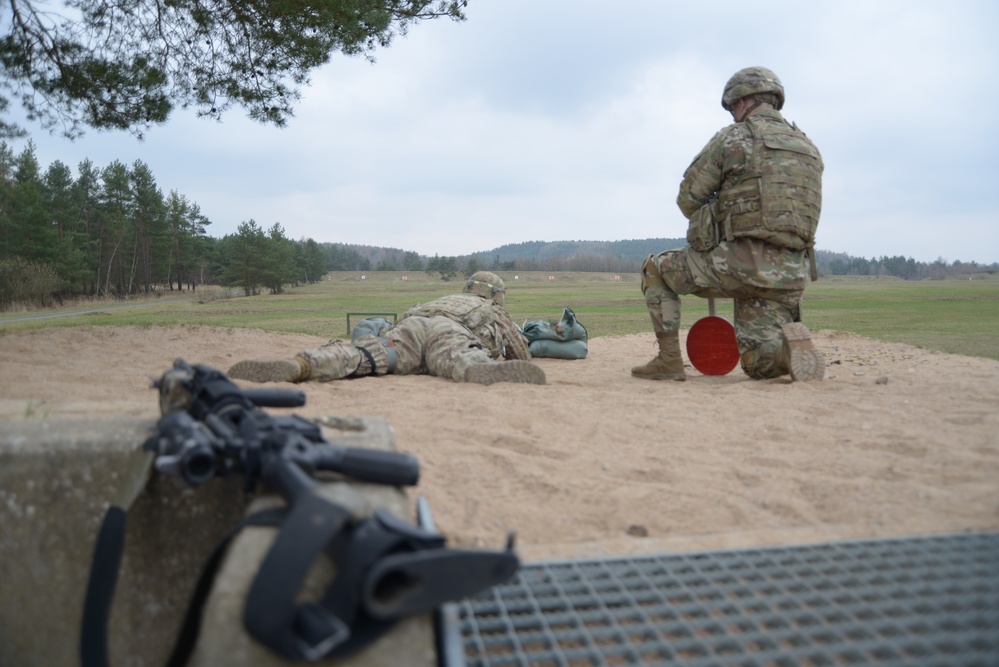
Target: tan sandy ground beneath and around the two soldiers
(896,441)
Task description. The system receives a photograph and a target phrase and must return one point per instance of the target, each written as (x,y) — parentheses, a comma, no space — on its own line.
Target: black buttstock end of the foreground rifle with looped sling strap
(385,569)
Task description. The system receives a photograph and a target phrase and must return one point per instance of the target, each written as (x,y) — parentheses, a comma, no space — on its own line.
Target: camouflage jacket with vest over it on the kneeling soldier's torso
(762,178)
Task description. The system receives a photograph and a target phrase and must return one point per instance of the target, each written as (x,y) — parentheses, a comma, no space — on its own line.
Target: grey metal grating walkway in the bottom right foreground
(906,602)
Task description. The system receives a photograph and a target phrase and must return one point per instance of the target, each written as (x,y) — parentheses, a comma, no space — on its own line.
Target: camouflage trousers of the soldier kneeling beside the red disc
(765,281)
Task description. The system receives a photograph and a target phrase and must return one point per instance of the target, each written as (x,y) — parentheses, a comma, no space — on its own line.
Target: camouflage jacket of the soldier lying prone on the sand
(487,321)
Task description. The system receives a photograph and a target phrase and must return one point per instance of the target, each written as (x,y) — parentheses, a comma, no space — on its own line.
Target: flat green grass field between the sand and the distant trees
(956,316)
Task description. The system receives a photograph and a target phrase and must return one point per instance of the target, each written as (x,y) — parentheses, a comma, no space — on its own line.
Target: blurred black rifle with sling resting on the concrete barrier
(386,568)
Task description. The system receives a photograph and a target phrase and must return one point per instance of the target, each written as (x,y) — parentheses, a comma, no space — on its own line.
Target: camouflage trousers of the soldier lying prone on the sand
(416,345)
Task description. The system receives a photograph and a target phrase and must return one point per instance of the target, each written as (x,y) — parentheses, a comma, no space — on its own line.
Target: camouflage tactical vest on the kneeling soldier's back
(779,196)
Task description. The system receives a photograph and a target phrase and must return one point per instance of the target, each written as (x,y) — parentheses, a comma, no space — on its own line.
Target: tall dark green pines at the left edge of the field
(112,232)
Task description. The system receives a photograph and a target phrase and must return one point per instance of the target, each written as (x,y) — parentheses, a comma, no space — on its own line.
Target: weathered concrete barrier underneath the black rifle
(57,480)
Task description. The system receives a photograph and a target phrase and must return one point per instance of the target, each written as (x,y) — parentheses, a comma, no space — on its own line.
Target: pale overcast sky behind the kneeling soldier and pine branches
(548,120)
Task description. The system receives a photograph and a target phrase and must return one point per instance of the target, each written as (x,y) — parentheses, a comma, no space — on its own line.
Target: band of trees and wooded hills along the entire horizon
(111,232)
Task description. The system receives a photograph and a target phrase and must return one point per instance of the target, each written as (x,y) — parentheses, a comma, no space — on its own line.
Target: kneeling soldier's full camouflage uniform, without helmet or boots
(744,245)
